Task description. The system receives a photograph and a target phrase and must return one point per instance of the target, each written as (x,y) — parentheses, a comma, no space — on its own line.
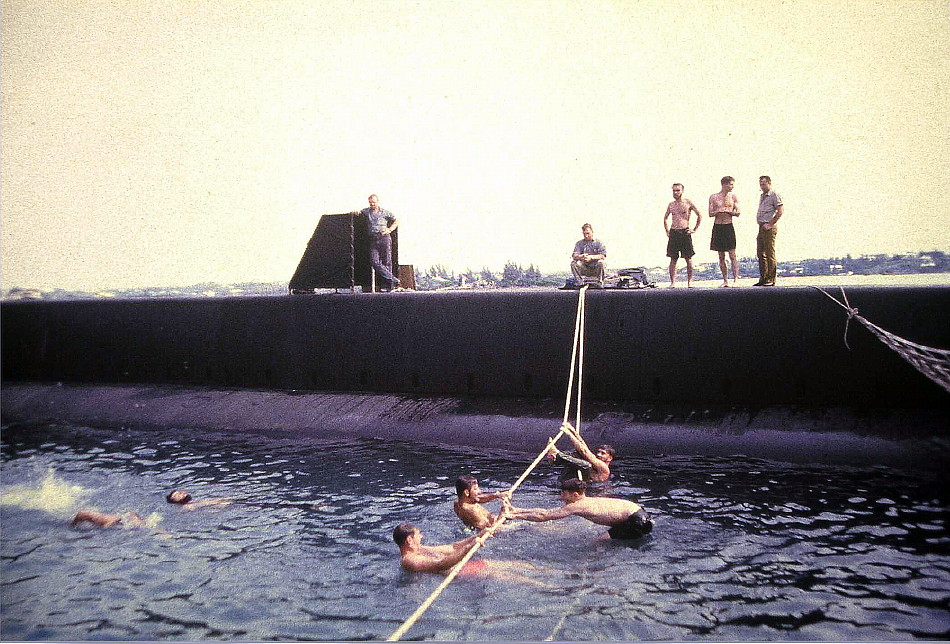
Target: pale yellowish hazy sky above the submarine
(158,143)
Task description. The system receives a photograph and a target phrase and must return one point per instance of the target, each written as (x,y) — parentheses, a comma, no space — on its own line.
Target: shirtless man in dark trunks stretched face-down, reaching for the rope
(626,519)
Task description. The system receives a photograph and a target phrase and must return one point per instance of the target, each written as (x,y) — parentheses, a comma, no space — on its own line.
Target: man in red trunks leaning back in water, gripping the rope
(416,557)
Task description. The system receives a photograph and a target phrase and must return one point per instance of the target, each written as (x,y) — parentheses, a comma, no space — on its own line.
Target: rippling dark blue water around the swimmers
(743,549)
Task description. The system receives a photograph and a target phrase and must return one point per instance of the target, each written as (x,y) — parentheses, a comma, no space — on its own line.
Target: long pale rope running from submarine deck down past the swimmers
(577,364)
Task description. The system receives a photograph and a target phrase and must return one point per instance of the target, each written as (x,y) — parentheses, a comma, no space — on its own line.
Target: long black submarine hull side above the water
(762,372)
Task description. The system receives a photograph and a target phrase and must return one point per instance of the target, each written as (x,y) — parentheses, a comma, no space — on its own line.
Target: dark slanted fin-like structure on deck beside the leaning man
(337,255)
